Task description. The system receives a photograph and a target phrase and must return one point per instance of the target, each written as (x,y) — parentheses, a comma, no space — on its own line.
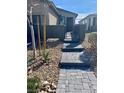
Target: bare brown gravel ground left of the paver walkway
(48,72)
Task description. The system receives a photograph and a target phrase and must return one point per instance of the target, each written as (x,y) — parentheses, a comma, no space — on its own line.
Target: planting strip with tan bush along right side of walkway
(90,45)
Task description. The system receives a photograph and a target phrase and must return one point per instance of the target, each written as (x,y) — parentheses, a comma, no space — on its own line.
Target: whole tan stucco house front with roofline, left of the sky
(52,13)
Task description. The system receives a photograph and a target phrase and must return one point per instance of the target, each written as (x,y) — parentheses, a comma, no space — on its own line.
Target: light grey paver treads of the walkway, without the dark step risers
(75,80)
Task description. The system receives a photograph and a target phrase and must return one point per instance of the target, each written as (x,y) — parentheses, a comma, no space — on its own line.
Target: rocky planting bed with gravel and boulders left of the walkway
(45,67)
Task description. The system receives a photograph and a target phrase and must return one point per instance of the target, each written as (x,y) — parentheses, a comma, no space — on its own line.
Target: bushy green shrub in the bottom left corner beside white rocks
(33,84)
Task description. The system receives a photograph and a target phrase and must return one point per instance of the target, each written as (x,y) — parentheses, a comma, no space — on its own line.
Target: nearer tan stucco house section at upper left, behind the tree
(43,9)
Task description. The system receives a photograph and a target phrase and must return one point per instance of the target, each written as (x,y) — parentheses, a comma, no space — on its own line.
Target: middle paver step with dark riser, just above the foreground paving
(73,59)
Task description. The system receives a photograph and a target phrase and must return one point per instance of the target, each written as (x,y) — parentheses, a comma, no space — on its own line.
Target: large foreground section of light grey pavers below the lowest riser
(76,81)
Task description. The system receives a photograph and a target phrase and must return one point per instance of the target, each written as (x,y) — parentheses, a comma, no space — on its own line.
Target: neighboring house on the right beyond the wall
(90,22)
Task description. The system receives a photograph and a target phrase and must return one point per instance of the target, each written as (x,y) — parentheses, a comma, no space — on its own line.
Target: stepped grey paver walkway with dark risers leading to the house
(74,75)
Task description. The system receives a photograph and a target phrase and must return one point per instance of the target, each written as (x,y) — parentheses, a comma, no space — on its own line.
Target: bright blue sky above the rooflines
(81,7)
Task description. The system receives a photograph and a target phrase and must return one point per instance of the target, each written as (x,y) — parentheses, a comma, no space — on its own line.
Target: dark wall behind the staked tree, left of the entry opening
(52,31)
